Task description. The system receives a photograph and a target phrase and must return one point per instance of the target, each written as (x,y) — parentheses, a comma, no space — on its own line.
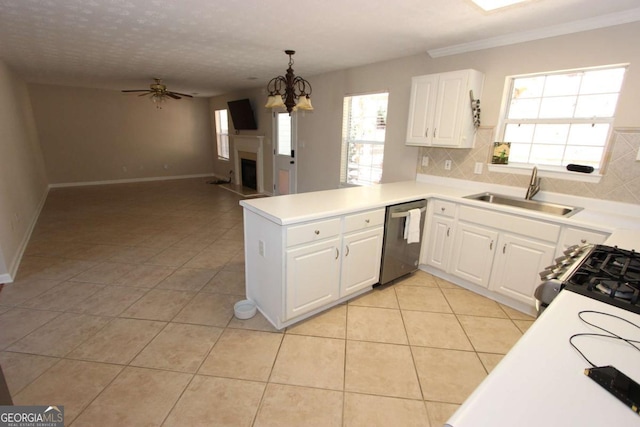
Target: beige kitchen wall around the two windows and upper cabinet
(319,132)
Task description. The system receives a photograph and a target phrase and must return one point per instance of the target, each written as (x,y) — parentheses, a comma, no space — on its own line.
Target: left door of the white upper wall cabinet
(421,110)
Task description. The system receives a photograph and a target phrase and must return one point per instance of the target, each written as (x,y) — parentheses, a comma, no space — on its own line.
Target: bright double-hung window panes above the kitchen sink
(559,118)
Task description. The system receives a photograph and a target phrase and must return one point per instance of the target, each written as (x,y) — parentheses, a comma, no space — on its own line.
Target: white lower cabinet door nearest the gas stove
(518,261)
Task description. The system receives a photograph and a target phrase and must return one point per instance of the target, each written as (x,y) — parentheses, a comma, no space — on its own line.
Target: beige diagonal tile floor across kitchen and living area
(122,311)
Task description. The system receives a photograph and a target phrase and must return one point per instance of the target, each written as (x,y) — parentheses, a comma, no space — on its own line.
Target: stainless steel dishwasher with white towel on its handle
(398,256)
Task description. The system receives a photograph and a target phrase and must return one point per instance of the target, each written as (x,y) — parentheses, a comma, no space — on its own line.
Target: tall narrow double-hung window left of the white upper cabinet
(364,124)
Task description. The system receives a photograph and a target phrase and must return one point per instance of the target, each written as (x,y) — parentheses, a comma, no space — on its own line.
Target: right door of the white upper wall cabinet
(452,101)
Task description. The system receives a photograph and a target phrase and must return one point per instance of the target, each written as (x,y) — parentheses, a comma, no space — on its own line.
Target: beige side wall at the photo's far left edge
(23,183)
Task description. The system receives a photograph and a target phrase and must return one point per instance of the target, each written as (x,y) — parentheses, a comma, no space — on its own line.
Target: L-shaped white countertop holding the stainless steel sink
(295,208)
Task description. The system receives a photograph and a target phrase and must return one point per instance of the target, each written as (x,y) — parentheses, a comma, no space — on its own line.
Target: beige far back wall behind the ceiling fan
(90,135)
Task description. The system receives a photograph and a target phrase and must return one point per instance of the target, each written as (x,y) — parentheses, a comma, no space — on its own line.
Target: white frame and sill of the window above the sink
(551,170)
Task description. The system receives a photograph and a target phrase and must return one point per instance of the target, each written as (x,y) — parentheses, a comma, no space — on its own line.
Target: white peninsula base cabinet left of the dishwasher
(295,271)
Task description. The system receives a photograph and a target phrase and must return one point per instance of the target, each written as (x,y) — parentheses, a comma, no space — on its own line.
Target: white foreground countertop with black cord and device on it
(541,381)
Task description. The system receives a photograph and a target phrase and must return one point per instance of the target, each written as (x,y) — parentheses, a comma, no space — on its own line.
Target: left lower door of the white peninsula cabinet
(312,276)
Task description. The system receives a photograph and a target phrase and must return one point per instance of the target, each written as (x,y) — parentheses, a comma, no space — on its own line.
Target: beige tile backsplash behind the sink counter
(620,182)
